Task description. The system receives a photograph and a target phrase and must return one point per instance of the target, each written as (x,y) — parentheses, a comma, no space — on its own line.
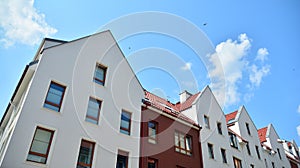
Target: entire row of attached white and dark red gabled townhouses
(79,104)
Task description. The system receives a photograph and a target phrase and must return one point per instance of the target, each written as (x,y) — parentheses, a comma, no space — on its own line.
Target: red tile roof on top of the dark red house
(168,107)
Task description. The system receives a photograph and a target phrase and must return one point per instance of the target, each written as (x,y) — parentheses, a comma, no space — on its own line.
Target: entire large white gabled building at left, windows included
(77,104)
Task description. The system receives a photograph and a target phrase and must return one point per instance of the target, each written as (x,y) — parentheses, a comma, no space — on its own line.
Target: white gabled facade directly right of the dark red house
(207,105)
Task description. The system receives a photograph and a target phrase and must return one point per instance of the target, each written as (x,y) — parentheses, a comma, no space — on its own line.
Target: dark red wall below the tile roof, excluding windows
(163,152)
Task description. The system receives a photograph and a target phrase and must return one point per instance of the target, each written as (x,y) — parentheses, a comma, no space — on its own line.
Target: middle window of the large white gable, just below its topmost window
(93,111)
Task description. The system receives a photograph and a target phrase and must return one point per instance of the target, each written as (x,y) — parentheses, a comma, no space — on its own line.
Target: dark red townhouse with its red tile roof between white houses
(168,138)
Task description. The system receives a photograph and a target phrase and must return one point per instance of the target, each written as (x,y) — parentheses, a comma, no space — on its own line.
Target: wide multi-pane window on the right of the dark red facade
(183,143)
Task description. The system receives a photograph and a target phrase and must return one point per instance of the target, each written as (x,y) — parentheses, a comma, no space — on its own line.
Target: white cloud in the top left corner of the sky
(21,22)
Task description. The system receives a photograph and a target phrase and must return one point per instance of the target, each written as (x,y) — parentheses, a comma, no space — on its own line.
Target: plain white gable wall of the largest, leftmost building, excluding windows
(73,64)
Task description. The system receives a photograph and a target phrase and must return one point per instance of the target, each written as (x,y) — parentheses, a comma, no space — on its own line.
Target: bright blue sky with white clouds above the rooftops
(255,41)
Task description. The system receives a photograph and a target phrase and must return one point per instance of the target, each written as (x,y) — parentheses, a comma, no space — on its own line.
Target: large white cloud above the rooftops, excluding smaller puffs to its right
(229,61)
